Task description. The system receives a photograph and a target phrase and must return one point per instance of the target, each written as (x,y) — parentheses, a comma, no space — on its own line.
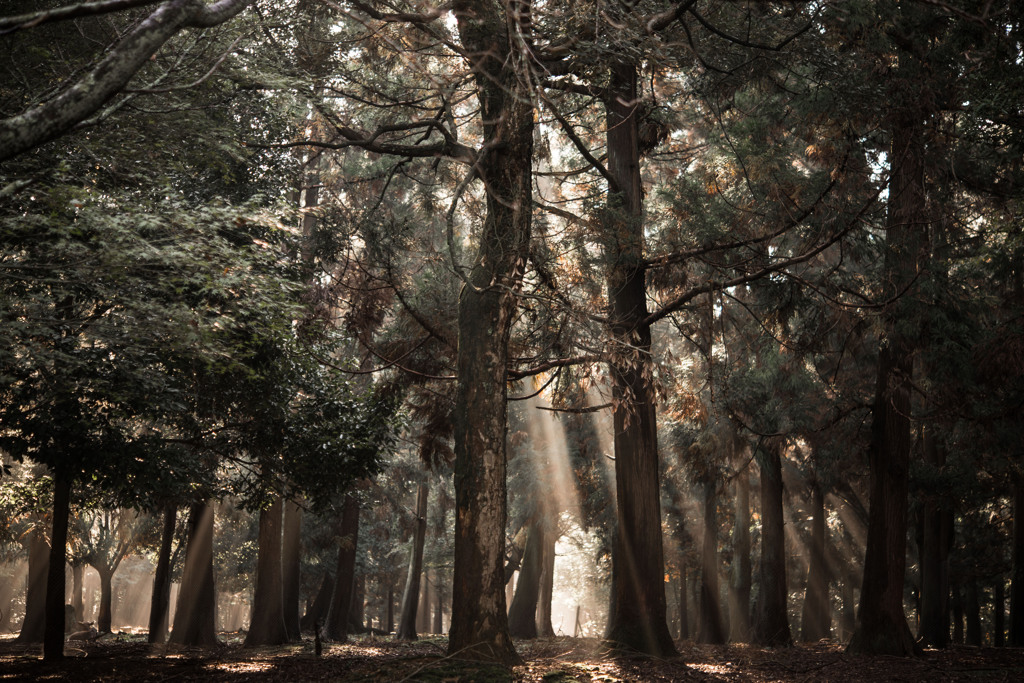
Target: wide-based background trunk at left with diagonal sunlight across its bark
(196,614)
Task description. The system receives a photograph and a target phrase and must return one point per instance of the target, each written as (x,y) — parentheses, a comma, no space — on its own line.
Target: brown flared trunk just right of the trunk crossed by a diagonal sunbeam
(267,626)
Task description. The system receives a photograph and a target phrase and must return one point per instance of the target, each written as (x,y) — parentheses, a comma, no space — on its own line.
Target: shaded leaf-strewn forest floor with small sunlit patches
(549,661)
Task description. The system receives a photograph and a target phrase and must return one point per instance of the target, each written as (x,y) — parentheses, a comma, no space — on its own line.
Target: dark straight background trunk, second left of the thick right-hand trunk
(773,624)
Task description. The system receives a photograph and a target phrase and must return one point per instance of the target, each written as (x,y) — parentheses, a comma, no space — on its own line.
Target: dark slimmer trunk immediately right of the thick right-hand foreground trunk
(934,630)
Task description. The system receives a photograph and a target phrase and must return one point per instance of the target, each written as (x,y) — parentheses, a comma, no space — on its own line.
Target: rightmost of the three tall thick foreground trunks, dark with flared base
(882,626)
